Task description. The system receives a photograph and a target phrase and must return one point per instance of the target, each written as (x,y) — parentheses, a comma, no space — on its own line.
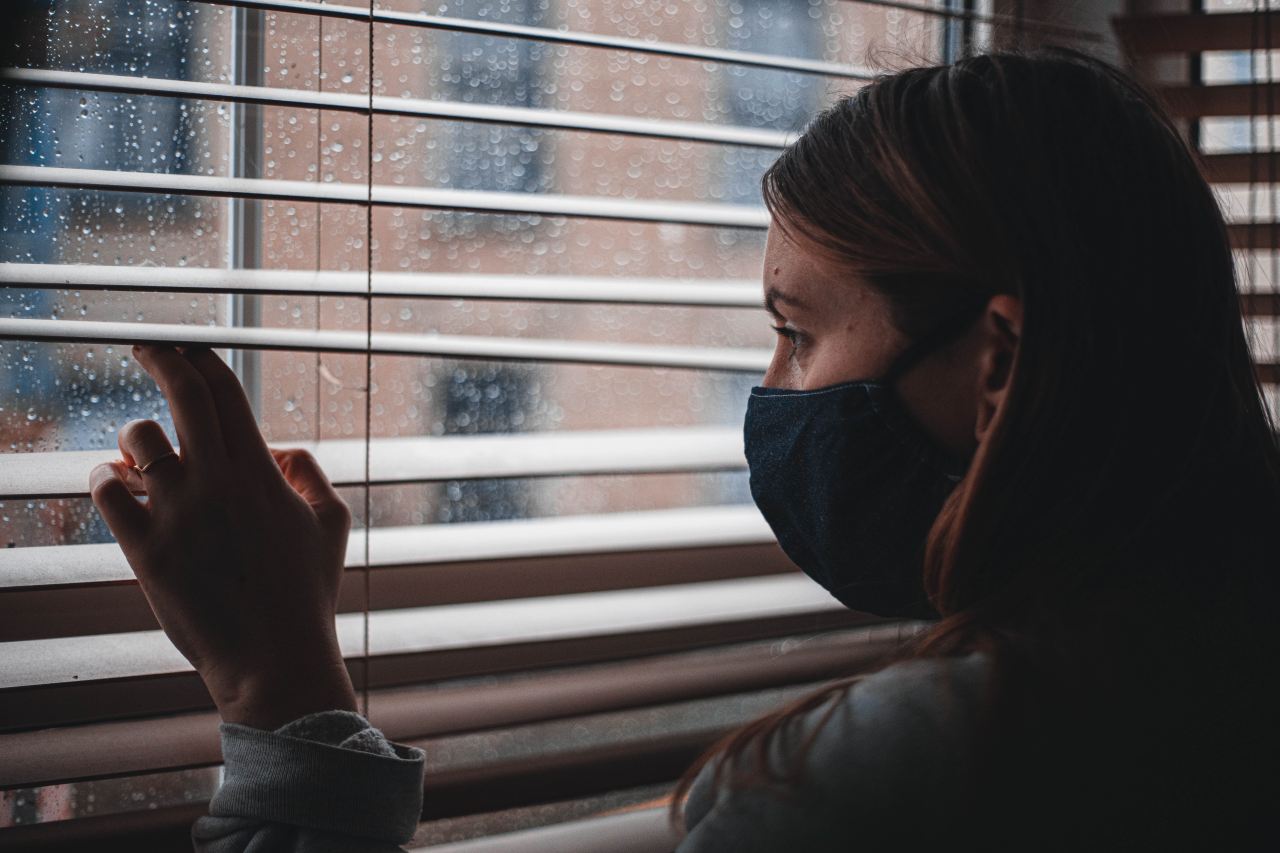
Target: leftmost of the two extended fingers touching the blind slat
(190,400)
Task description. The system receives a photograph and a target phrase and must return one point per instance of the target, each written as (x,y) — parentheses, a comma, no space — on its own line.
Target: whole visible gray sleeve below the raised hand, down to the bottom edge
(326,783)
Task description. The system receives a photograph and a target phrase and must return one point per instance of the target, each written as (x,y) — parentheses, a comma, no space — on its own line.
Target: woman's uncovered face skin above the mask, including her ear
(834,329)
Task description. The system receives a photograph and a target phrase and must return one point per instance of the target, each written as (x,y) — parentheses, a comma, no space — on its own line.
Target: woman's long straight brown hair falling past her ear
(1119,509)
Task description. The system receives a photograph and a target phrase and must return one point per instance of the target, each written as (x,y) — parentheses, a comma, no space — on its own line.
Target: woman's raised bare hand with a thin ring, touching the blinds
(240,549)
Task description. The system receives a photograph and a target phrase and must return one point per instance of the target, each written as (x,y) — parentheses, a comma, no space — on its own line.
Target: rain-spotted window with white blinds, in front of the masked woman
(546,364)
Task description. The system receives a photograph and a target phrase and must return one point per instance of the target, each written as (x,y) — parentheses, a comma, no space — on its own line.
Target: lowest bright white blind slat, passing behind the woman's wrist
(440,630)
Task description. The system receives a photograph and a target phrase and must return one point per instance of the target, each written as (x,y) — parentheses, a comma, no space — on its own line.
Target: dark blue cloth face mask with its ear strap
(851,485)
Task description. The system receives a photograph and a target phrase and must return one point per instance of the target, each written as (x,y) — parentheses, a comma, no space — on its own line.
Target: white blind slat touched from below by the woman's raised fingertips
(729,359)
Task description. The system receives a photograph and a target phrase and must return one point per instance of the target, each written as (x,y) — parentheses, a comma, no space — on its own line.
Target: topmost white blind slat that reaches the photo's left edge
(419,108)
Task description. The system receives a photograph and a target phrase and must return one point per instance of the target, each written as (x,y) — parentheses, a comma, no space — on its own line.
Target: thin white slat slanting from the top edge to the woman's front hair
(557,37)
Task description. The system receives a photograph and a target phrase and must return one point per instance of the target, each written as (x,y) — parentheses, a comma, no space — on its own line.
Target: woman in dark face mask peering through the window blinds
(1012,389)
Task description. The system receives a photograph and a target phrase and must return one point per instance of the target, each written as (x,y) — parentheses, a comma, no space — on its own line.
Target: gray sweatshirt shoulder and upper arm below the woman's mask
(899,741)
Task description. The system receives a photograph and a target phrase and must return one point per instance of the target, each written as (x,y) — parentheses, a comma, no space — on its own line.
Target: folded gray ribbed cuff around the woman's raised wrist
(330,772)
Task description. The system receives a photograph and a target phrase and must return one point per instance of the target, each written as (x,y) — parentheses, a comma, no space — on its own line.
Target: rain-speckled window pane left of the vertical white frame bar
(76,396)
